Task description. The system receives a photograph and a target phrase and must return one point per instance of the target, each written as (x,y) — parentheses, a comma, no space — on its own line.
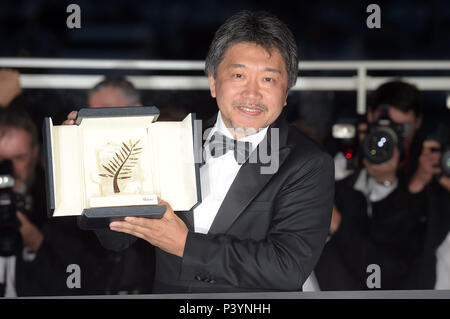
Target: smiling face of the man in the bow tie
(250,87)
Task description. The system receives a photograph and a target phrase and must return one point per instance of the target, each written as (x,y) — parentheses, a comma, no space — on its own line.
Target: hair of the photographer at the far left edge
(18,119)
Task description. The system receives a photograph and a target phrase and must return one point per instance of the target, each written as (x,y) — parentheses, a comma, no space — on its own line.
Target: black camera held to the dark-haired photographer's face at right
(383,136)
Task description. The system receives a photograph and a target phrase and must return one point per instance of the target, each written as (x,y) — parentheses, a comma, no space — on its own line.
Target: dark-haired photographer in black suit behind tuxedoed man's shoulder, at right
(377,219)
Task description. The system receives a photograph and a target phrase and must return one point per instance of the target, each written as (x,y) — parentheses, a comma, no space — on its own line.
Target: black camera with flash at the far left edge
(10,203)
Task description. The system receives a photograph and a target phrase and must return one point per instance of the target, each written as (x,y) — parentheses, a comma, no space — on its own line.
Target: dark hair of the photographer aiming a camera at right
(398,94)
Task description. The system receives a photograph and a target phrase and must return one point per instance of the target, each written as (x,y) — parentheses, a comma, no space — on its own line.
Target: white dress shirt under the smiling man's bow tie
(217,175)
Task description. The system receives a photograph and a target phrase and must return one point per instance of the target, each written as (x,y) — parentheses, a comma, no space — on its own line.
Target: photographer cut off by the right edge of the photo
(432,180)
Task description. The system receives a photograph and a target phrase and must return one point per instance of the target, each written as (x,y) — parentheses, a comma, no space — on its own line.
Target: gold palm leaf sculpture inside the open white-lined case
(122,164)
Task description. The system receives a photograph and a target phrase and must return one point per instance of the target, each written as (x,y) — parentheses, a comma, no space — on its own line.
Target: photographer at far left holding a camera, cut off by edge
(34,255)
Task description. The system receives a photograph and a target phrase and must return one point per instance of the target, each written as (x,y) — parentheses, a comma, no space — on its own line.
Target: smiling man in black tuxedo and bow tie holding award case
(255,229)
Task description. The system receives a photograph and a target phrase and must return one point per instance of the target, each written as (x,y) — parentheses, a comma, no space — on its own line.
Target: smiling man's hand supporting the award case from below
(168,233)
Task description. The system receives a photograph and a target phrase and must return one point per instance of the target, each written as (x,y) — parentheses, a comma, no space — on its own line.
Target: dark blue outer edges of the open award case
(100,217)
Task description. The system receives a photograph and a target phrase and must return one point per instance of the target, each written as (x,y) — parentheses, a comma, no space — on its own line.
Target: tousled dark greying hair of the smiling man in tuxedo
(261,28)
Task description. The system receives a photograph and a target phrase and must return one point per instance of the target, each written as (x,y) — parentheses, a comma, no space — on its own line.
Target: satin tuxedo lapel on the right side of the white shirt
(249,182)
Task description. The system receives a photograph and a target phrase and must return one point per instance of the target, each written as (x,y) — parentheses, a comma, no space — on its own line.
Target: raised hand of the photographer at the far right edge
(427,167)
